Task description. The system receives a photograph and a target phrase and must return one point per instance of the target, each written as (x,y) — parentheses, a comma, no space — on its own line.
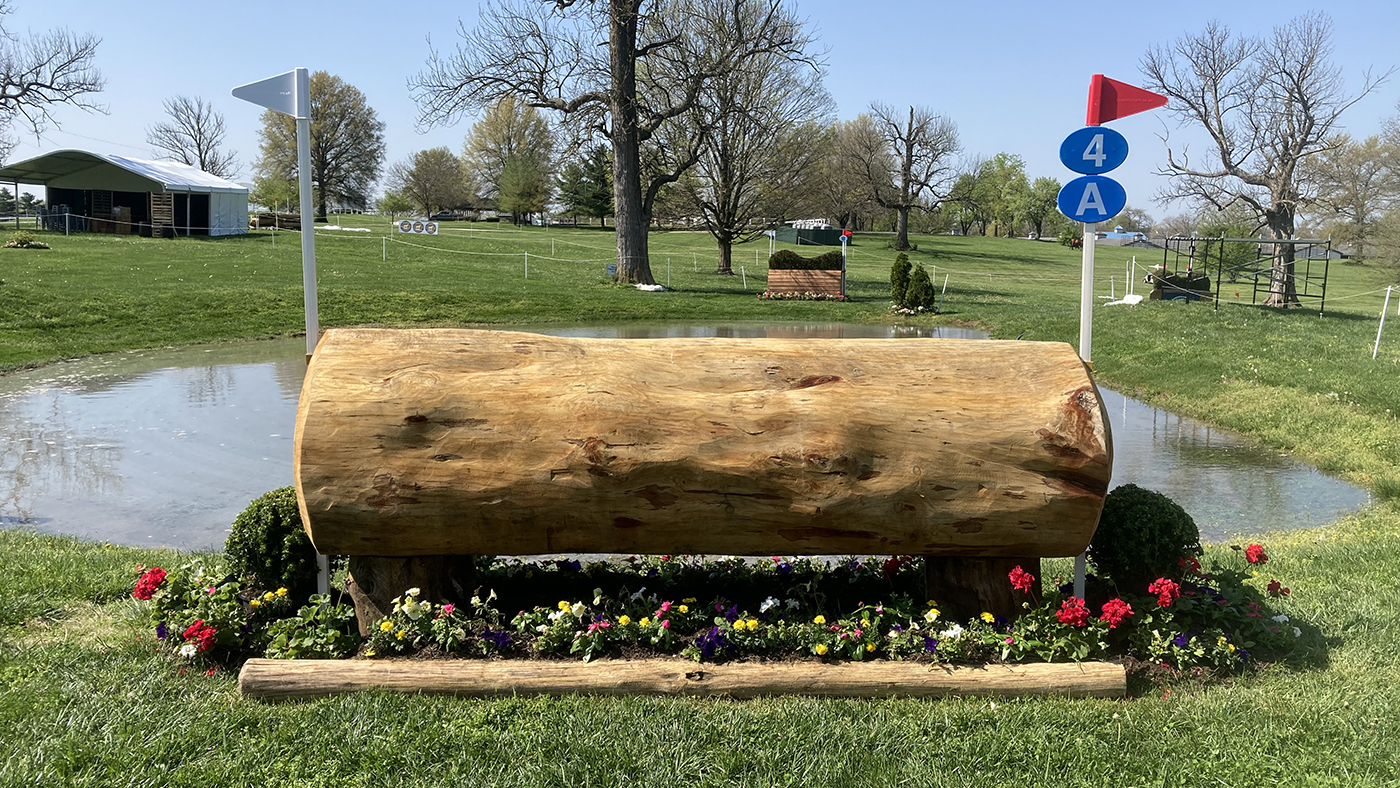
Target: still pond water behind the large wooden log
(166,447)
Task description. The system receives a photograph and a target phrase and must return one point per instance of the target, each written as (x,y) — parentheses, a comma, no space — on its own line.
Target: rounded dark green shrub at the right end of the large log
(1143,535)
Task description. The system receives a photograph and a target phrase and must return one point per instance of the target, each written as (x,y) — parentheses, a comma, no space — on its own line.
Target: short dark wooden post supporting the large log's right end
(967,589)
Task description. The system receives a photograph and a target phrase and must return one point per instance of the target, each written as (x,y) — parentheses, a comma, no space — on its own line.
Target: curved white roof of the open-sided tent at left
(86,170)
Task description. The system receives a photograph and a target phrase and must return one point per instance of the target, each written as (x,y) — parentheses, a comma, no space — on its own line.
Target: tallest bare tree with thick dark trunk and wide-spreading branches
(660,55)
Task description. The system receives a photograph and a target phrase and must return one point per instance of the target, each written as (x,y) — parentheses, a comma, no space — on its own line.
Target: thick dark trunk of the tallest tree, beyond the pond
(629,216)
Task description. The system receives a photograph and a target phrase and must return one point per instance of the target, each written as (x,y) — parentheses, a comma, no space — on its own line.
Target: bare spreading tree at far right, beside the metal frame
(1268,106)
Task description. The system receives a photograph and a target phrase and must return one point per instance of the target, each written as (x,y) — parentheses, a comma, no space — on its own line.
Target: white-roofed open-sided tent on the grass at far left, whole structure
(177,194)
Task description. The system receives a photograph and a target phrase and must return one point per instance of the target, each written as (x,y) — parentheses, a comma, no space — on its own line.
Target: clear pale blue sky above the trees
(1014,76)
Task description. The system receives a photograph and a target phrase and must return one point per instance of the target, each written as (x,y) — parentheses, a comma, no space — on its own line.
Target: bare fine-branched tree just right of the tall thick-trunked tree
(764,125)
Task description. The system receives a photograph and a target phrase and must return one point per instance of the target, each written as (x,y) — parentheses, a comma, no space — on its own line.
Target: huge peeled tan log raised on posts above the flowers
(443,442)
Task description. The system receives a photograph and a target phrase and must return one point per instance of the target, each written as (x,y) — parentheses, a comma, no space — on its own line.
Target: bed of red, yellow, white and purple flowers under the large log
(734,610)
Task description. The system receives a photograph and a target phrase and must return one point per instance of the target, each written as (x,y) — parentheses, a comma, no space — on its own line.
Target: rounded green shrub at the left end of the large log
(269,545)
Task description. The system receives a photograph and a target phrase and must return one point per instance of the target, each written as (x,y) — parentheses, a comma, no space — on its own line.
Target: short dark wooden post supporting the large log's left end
(376,580)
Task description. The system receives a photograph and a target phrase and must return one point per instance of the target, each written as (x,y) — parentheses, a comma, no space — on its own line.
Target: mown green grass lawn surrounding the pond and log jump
(85,703)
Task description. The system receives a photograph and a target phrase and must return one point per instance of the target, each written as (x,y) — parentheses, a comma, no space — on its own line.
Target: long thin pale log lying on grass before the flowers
(288,680)
